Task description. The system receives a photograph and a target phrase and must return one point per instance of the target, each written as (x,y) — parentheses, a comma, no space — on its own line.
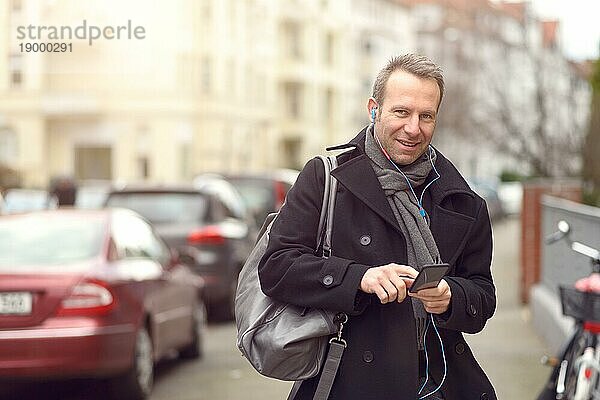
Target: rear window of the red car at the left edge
(45,240)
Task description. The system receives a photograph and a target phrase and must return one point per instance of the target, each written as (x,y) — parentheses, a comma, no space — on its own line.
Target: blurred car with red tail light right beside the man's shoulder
(264,193)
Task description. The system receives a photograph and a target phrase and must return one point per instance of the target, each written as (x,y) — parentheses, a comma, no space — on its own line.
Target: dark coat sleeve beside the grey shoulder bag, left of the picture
(290,271)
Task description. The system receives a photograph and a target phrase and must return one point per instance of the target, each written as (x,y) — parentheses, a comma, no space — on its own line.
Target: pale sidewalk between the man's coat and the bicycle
(508,349)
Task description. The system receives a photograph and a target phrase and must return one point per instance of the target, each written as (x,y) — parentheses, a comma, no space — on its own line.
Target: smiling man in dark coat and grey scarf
(400,205)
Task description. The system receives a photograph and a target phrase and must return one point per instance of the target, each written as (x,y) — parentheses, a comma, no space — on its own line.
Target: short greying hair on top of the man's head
(414,64)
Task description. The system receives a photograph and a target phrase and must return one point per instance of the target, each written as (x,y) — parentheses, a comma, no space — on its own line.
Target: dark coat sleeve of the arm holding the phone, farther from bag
(473,292)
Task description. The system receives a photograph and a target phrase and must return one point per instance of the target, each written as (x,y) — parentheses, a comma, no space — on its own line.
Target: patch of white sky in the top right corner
(580,25)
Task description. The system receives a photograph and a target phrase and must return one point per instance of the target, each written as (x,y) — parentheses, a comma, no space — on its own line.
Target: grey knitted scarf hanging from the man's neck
(420,244)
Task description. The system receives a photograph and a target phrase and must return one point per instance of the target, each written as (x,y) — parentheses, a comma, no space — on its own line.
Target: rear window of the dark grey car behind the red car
(163,207)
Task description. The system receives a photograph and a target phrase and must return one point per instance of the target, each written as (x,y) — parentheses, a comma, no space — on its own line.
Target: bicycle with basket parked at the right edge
(576,371)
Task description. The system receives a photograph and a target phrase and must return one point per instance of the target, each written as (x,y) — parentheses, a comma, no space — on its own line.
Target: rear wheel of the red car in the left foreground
(136,384)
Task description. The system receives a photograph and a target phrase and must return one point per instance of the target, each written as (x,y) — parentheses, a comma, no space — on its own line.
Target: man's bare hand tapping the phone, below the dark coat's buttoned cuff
(386,281)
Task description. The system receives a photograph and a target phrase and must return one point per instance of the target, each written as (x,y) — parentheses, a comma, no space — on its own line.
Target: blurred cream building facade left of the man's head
(213,85)
